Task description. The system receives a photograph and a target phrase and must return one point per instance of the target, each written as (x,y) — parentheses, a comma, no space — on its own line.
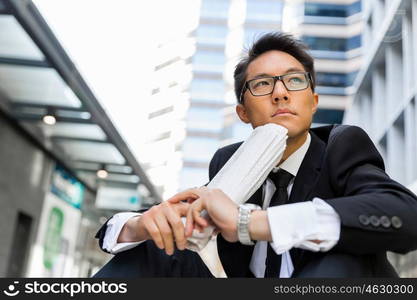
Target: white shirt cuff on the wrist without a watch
(114,226)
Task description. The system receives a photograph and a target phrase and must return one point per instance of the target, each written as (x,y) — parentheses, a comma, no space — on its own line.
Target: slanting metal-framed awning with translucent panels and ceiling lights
(38,79)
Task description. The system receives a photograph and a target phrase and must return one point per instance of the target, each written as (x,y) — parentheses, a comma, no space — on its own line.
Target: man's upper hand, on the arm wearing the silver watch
(221,209)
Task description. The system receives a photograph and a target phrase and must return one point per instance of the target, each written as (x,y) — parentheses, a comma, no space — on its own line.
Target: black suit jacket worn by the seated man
(342,167)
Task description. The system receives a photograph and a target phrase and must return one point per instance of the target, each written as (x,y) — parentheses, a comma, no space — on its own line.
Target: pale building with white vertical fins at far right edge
(384,101)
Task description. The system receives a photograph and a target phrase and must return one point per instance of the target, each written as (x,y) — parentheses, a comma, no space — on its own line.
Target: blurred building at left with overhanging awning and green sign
(64,166)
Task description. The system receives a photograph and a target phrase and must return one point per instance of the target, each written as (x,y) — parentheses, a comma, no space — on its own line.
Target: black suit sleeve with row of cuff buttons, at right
(377,213)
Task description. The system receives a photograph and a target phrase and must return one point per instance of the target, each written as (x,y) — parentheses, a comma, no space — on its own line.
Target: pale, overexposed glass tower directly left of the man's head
(225,28)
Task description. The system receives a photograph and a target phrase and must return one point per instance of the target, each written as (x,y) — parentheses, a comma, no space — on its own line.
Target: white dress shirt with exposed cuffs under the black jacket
(292,225)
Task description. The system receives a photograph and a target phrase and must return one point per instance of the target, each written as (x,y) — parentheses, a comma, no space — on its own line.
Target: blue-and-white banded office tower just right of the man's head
(333,32)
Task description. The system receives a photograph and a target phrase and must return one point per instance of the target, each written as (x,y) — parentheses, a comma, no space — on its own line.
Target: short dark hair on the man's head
(273,41)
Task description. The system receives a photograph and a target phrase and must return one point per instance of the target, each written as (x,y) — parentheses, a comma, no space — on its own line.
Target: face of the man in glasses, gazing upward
(260,110)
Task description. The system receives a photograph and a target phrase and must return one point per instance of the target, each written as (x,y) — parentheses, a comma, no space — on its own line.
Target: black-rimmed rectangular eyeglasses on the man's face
(262,86)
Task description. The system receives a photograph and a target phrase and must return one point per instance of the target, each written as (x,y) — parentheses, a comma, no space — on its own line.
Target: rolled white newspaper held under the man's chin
(245,171)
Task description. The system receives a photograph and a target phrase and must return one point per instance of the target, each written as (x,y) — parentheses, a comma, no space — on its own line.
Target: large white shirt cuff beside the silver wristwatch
(297,224)
